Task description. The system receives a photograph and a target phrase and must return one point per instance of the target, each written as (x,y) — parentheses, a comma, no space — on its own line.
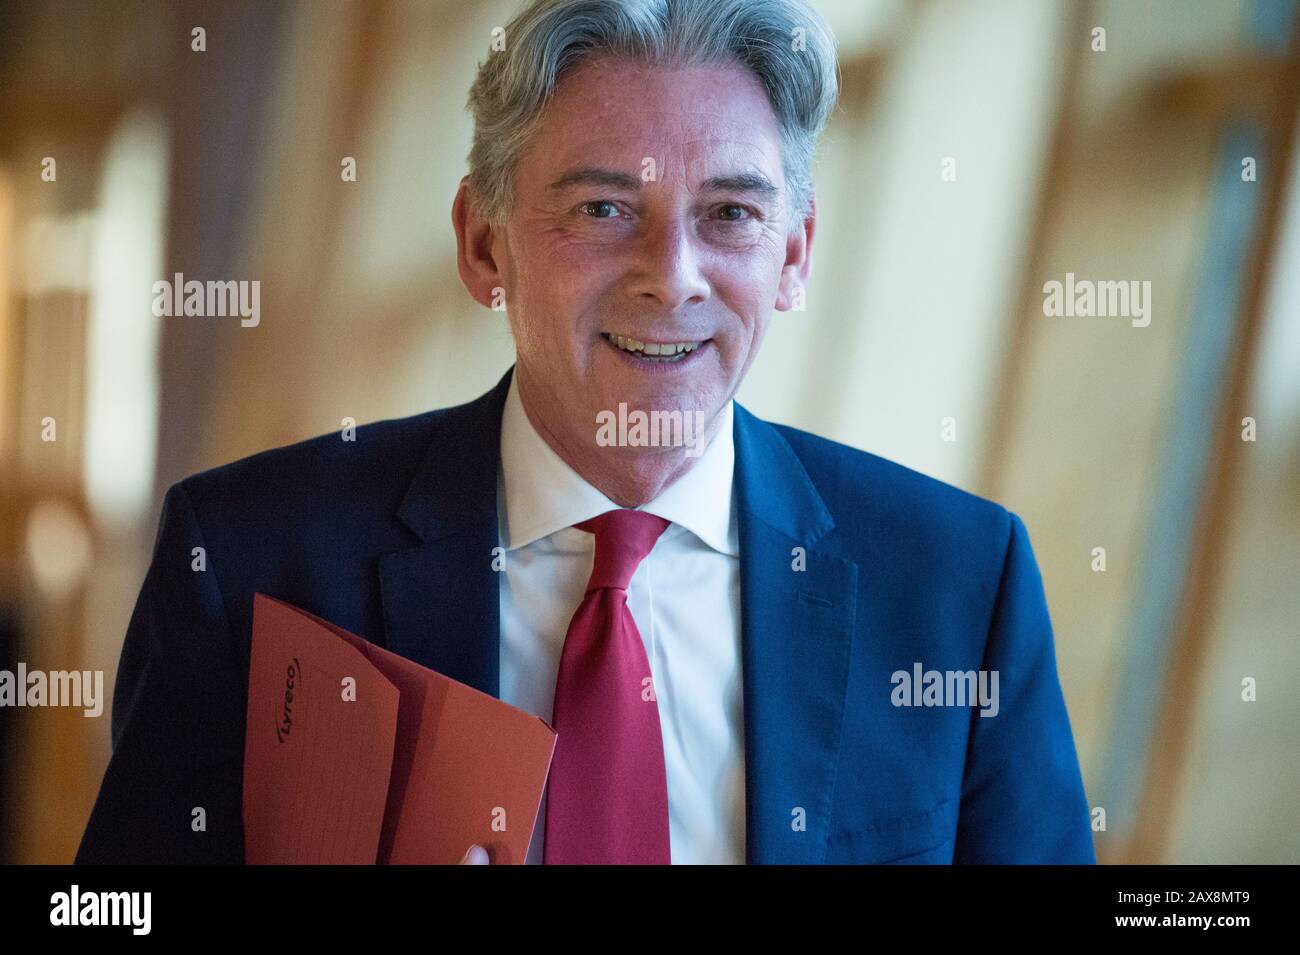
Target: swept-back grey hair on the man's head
(785,44)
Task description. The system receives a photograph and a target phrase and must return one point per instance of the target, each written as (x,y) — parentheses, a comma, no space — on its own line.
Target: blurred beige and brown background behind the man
(982,149)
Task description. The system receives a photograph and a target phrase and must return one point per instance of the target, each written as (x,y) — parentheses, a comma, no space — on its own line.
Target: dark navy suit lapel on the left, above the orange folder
(440,596)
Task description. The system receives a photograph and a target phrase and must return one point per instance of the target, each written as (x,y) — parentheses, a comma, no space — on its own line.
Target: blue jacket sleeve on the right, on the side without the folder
(1022,792)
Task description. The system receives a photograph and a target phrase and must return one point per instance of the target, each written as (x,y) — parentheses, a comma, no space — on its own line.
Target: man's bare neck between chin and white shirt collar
(627,476)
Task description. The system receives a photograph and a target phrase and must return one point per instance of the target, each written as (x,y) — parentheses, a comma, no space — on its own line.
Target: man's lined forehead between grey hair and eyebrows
(692,120)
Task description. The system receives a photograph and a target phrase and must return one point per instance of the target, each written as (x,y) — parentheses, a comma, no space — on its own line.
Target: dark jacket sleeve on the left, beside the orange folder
(174,788)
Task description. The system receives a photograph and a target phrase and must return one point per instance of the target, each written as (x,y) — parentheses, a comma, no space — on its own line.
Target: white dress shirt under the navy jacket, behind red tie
(684,598)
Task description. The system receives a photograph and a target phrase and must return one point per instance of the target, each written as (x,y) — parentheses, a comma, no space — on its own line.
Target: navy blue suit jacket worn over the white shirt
(392,537)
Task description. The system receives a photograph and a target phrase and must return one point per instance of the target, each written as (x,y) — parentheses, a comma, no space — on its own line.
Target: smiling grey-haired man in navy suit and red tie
(740,633)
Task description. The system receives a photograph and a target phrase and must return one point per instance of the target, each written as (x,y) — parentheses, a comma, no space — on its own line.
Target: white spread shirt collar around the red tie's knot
(540,494)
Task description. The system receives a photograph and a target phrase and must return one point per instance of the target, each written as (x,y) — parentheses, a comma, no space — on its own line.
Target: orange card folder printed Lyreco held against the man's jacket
(357,756)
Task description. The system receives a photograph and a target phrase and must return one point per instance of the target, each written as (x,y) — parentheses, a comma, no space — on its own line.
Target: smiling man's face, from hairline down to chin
(651,209)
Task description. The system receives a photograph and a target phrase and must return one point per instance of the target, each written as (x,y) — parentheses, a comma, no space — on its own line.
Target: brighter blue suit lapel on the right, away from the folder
(796,633)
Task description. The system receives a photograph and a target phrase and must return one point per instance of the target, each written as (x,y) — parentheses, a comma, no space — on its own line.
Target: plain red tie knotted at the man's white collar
(608,796)
